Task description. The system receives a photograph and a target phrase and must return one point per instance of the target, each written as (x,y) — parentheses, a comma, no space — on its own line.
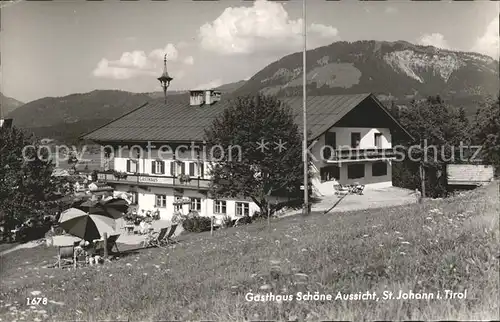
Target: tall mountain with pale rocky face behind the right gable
(394,71)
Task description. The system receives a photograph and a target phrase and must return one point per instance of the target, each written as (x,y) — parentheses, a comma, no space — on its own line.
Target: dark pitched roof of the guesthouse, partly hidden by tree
(176,121)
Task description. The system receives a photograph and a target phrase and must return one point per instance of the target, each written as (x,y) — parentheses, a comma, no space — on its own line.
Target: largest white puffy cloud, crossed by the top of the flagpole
(265,27)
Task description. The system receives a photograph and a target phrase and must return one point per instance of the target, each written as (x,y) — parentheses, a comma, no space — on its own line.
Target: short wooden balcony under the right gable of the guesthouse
(353,155)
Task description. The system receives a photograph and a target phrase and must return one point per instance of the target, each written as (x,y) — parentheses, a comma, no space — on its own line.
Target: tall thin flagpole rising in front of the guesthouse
(304,94)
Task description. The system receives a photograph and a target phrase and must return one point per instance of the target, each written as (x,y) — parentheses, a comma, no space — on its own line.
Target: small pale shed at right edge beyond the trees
(469,174)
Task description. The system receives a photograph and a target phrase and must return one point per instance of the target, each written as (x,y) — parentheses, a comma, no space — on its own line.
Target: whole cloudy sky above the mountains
(59,47)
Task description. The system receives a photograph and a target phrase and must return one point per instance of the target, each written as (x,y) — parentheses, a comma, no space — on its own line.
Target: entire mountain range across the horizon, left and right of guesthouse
(394,71)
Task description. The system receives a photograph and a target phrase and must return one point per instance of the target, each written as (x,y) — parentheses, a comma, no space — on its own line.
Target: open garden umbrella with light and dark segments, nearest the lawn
(86,226)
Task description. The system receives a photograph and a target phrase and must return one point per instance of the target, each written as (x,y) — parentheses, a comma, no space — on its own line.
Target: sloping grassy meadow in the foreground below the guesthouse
(443,245)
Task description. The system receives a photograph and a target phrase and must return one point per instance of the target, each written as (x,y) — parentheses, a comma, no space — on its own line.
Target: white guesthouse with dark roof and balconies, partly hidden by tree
(358,127)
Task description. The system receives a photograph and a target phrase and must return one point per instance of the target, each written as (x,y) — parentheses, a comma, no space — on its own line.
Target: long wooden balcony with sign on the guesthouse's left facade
(155,180)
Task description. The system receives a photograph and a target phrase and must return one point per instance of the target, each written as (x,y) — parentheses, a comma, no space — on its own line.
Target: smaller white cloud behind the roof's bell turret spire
(137,63)
